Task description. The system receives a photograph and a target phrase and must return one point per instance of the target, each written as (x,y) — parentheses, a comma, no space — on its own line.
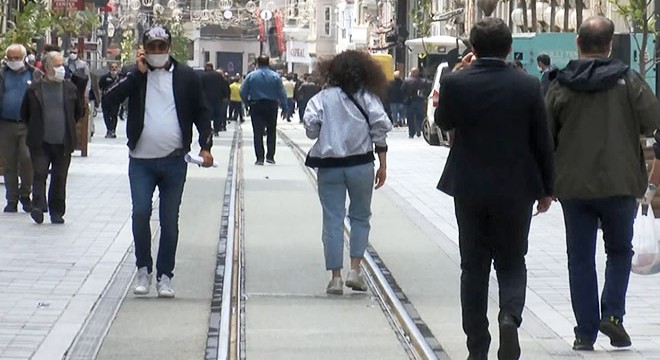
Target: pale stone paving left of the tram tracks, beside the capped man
(51,275)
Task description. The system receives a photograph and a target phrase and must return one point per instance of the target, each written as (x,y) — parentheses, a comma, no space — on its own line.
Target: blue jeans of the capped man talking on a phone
(169,174)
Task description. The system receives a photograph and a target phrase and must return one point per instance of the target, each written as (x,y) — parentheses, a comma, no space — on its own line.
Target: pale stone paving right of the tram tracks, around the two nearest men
(414,169)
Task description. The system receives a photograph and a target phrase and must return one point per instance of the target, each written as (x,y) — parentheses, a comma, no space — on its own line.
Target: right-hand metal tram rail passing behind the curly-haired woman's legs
(411,329)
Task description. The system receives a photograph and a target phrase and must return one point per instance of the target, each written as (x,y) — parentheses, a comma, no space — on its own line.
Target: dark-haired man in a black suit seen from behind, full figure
(500,163)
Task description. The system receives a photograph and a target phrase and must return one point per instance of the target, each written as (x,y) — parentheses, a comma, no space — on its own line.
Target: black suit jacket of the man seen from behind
(502,146)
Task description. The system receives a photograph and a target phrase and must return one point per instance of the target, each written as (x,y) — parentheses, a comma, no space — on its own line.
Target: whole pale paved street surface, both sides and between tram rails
(51,277)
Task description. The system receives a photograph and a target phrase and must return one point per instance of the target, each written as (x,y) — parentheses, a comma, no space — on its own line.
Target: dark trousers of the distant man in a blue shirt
(264,116)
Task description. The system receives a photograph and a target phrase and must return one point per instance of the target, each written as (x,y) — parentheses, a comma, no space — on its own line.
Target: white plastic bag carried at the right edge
(646,260)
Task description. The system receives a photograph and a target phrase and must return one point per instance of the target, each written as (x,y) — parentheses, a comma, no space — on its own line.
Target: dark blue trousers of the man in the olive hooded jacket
(617,215)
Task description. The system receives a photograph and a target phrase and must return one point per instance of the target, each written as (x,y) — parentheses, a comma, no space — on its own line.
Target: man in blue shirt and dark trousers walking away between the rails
(261,91)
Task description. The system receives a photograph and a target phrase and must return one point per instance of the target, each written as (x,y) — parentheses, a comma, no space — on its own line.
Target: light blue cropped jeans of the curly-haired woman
(334,183)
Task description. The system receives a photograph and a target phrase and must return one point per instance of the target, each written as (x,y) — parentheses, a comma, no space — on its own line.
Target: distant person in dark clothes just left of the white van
(415,90)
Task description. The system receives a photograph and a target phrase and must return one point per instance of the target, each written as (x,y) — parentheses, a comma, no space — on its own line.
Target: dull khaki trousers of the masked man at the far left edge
(15,158)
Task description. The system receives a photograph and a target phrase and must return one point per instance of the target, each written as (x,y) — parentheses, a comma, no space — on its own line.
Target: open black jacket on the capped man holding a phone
(188,97)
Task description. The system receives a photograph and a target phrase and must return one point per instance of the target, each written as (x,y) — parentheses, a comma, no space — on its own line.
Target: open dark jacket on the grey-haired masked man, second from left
(32,115)
